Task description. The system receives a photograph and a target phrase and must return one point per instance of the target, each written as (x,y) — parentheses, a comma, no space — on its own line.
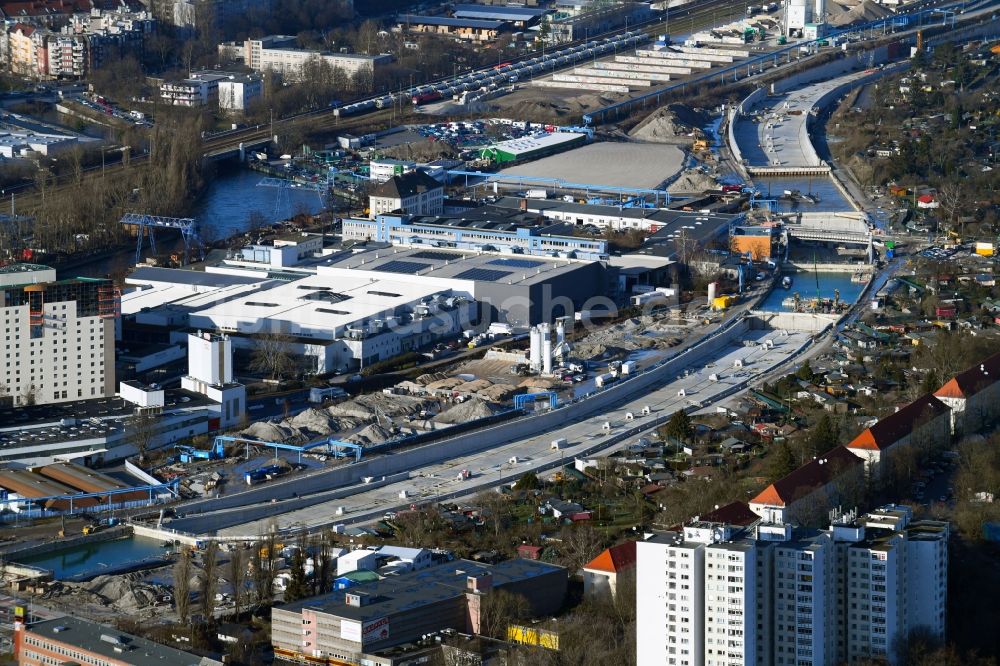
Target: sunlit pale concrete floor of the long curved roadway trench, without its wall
(718,376)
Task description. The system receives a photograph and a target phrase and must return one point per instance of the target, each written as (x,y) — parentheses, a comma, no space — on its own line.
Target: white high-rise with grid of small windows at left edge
(58,336)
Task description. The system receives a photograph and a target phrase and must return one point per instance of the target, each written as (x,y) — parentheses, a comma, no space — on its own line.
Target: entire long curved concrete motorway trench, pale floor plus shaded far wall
(719,366)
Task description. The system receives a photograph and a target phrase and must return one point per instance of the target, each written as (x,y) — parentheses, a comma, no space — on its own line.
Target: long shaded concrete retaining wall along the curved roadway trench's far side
(292,492)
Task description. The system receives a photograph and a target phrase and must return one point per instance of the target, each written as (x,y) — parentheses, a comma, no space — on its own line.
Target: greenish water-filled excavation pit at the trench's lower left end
(93,559)
